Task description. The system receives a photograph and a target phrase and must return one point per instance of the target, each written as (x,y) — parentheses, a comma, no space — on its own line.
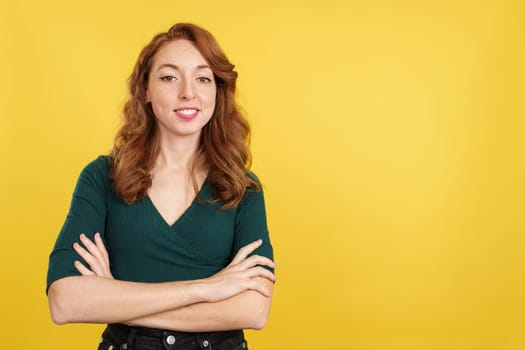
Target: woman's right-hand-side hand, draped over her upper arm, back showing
(240,275)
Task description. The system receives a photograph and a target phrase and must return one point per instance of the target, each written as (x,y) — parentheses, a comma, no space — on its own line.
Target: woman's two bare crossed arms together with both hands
(239,296)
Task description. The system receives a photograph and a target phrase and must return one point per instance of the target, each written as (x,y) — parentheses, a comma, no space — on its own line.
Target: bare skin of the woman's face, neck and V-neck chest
(180,78)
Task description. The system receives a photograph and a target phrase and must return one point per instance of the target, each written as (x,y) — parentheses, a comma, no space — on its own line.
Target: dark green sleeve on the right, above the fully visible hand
(251,225)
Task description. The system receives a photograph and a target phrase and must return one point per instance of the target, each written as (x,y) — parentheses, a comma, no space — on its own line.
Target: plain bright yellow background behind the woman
(389,136)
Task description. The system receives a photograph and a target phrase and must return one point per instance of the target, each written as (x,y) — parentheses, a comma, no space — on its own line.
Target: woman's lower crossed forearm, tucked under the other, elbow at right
(247,310)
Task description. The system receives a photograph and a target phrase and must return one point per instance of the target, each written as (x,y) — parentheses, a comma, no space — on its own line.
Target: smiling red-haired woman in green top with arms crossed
(173,210)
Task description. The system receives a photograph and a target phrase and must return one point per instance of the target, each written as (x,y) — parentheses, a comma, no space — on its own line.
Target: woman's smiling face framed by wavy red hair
(181,89)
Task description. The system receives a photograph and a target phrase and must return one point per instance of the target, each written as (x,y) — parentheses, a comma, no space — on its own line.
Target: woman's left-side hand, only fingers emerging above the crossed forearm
(95,254)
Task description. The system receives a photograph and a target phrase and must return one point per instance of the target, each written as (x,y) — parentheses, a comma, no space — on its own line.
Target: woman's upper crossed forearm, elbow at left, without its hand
(102,300)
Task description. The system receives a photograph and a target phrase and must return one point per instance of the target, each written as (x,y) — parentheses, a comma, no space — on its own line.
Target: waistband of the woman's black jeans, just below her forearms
(124,330)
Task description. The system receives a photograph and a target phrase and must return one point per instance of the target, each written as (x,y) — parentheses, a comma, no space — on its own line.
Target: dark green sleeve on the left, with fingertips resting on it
(87,214)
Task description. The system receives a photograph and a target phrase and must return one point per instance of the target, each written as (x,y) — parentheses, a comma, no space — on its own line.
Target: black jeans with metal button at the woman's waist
(121,337)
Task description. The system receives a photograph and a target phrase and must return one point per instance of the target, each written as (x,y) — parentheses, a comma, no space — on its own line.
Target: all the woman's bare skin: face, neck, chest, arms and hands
(182,93)
